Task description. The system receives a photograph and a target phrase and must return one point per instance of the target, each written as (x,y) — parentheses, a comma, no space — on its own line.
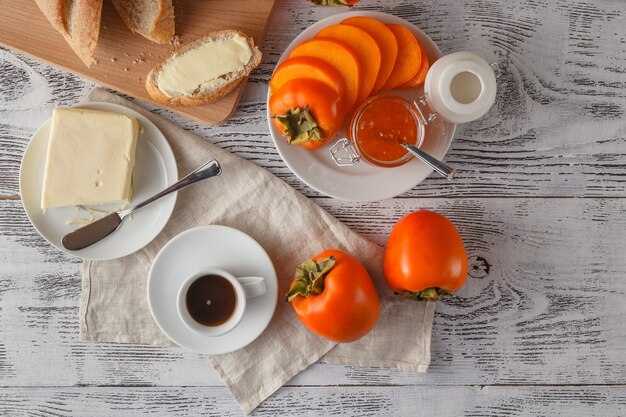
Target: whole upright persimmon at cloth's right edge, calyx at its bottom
(425,258)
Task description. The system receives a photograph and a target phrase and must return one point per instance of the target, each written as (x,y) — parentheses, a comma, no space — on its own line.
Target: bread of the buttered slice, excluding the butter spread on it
(224,84)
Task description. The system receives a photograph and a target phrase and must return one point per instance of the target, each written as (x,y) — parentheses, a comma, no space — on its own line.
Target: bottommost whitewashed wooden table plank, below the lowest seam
(317,401)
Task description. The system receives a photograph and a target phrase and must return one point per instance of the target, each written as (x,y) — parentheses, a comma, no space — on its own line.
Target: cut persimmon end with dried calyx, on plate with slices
(307,112)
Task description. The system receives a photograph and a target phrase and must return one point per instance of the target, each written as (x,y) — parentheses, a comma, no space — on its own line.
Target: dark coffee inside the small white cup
(211,300)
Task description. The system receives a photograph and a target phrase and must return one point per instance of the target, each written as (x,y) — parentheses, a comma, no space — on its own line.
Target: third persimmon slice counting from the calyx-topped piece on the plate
(366,49)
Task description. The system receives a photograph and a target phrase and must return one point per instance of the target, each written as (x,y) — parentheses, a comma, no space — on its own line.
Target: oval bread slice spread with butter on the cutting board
(205,70)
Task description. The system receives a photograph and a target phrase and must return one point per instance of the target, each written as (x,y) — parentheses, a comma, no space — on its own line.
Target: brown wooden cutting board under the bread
(125,58)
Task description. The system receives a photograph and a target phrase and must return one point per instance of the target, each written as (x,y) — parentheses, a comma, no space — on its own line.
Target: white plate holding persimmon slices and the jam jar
(362,182)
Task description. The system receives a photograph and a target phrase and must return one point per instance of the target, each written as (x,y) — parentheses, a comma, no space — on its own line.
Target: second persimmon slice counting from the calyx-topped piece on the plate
(341,57)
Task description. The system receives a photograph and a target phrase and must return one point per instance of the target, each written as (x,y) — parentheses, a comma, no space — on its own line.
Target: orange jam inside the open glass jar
(380,125)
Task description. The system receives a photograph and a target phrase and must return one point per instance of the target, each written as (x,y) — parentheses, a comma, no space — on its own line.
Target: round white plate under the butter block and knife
(155,169)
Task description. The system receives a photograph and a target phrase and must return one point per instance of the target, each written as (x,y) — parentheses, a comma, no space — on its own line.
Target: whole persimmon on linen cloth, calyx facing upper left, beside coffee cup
(334,297)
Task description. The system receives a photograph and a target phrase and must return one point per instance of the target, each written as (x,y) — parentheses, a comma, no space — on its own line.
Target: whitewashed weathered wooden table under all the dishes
(539,328)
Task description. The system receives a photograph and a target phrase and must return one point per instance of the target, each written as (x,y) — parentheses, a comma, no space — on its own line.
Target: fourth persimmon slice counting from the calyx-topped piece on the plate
(387,45)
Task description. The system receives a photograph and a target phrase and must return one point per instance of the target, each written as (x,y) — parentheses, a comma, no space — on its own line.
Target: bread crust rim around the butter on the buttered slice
(199,99)
